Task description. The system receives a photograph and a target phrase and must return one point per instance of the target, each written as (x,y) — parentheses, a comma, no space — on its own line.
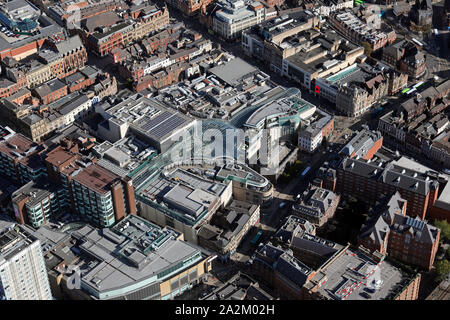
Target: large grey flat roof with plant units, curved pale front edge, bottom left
(131,255)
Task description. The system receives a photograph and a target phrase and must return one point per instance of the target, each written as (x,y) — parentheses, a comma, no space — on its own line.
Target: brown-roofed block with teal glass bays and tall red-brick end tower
(94,193)
